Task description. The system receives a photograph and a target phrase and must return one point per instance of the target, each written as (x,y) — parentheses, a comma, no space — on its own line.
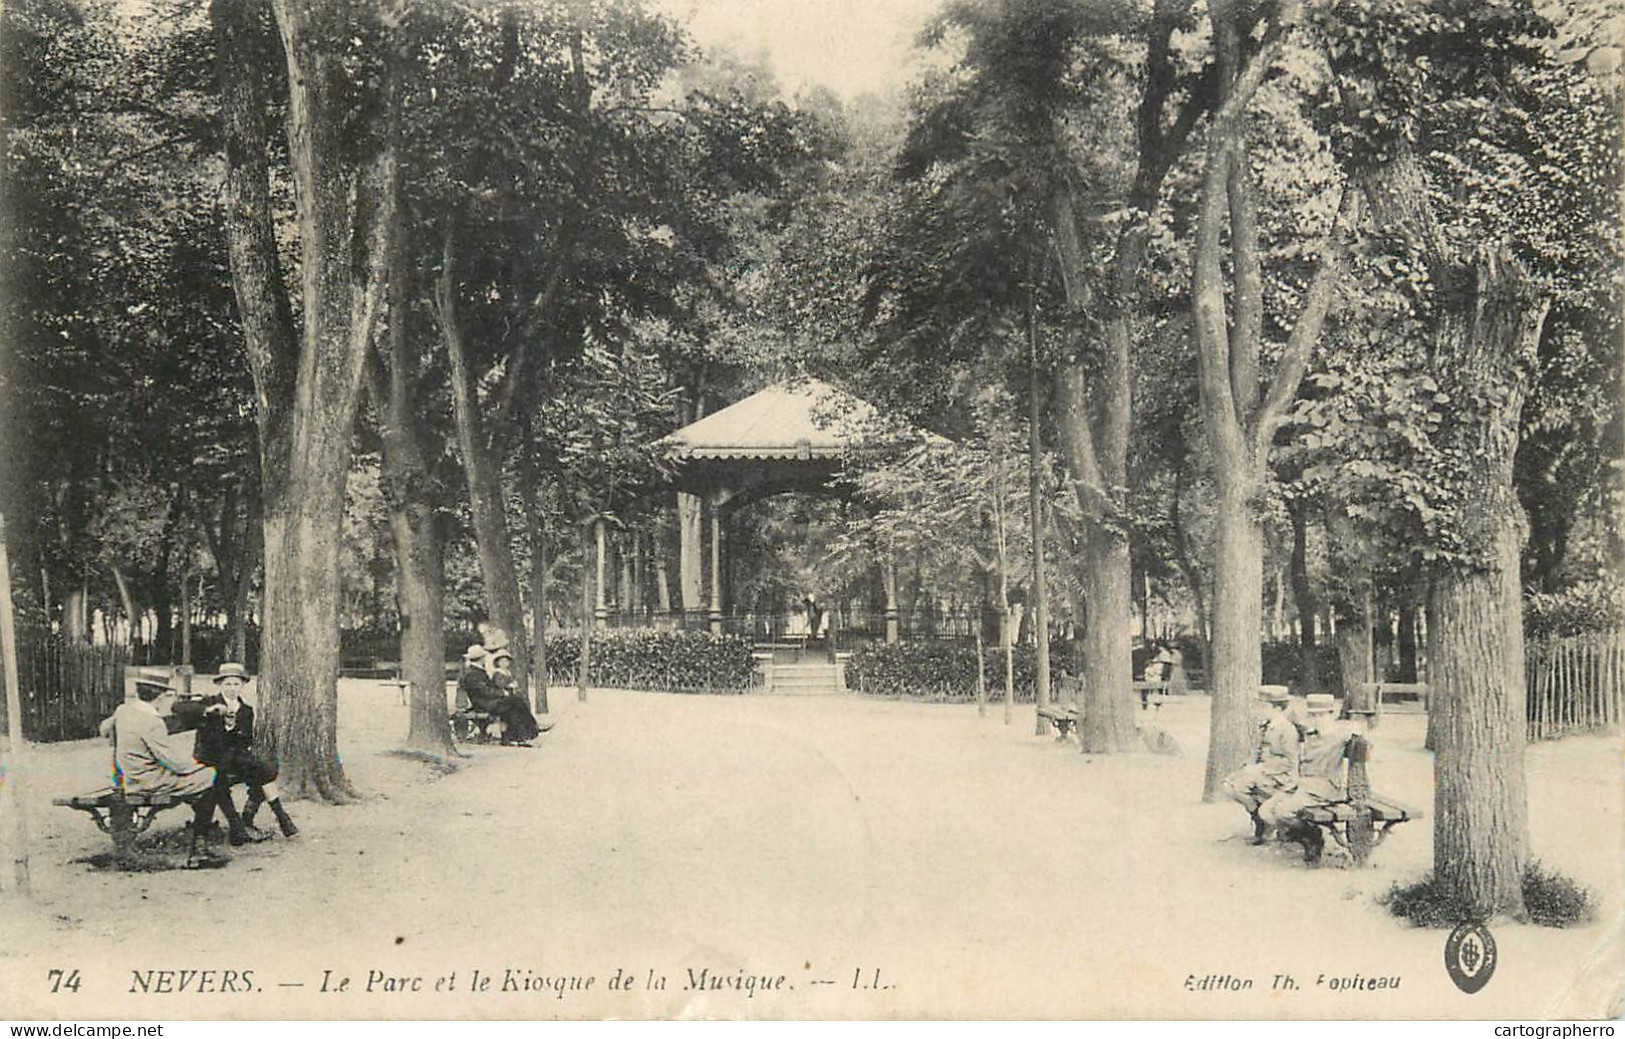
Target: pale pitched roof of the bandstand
(789,420)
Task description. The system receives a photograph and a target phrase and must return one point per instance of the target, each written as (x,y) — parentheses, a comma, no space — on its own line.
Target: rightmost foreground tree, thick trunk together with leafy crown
(1470,97)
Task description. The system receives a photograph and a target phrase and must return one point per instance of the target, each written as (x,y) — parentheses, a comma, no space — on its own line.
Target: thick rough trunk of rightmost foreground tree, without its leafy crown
(1481,354)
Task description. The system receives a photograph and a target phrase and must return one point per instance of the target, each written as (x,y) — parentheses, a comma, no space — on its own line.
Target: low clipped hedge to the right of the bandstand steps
(945,671)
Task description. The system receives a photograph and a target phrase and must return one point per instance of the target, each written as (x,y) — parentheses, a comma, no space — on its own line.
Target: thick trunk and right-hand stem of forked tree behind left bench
(344,224)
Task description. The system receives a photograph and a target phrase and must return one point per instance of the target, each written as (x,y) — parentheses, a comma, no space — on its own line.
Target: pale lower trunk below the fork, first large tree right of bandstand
(1109,721)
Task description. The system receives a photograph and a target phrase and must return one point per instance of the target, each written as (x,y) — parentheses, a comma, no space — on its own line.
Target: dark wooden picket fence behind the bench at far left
(67,689)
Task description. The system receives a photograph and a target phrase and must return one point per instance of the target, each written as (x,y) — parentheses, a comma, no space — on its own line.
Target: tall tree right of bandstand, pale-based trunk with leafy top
(1041,118)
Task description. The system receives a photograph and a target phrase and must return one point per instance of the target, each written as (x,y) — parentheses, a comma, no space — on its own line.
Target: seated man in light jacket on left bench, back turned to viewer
(150,760)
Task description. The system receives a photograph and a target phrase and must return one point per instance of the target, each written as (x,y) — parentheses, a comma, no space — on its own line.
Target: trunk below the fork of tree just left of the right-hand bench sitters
(1236,666)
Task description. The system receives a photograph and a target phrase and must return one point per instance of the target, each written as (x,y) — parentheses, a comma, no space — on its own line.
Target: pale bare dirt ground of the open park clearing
(791,858)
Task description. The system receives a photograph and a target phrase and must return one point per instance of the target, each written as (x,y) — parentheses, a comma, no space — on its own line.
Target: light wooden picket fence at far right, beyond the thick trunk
(1575,684)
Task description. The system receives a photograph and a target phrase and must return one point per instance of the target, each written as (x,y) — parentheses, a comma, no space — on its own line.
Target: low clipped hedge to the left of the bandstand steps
(661,661)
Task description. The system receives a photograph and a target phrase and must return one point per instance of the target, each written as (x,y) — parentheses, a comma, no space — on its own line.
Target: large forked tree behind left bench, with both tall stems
(308,380)
